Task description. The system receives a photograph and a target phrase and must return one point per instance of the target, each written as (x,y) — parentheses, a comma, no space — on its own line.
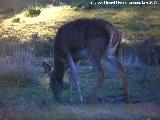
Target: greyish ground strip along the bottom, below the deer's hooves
(145,111)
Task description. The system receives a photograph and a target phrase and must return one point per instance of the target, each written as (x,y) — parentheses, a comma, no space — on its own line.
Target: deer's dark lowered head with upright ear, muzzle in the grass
(55,84)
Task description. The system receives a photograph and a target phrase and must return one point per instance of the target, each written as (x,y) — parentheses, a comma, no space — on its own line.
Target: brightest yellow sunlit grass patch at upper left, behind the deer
(45,24)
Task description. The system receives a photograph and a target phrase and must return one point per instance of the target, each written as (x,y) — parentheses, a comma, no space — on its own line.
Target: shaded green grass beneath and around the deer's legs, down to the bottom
(38,99)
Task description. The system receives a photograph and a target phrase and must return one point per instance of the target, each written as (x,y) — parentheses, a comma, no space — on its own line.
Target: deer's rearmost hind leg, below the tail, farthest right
(123,74)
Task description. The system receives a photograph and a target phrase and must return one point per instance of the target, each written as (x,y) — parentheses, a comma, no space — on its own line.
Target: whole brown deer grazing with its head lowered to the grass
(74,40)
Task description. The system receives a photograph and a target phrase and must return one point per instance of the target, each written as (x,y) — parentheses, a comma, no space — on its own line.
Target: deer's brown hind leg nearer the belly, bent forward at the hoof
(95,61)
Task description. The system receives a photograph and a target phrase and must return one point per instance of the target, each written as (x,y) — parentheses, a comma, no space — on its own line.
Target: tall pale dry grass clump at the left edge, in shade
(16,65)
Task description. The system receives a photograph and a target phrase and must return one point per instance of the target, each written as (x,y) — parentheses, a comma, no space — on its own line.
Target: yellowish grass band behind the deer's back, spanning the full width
(133,22)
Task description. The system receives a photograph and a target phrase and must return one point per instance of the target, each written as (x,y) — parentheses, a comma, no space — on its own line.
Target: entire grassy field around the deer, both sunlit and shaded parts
(26,40)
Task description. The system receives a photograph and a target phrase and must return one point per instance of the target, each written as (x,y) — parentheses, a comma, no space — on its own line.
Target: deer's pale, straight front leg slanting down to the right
(73,75)
